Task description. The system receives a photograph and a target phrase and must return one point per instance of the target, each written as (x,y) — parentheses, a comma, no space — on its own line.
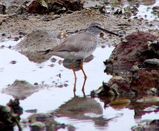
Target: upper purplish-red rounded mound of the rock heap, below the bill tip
(134,50)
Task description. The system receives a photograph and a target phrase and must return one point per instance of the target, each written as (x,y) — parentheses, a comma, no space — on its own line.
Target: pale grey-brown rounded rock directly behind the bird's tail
(34,43)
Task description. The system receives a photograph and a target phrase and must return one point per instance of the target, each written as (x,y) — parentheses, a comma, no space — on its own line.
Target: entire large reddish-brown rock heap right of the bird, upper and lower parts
(134,65)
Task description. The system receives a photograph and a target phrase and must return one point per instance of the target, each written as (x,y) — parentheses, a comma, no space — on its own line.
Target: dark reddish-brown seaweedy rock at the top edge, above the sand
(56,6)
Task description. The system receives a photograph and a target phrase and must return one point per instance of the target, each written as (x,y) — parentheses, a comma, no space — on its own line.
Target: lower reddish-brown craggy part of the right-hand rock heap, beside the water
(142,82)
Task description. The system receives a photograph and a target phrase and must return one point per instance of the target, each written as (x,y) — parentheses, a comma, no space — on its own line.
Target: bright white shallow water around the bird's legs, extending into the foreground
(53,95)
